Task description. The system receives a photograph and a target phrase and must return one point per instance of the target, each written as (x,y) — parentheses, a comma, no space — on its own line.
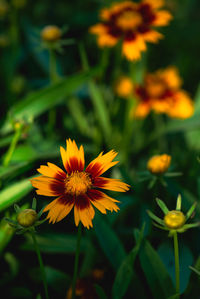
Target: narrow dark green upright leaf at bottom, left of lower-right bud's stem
(125,271)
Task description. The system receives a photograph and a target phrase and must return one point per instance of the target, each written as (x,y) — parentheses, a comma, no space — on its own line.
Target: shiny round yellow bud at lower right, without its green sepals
(174,219)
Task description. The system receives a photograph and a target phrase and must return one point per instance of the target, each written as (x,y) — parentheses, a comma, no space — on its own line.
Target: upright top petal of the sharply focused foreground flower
(73,158)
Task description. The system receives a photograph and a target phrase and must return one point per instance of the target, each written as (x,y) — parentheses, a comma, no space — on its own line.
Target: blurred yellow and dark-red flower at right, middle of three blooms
(162,93)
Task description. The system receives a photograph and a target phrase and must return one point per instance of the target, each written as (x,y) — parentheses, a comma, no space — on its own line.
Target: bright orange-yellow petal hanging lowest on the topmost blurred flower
(132,49)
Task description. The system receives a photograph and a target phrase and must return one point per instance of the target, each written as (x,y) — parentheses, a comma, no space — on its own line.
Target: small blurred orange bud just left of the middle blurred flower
(124,87)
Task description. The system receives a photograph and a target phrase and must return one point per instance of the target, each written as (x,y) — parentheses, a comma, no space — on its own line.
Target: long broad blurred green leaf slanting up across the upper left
(41,101)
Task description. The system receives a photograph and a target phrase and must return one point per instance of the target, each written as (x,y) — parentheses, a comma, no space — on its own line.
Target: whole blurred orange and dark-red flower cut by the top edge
(133,23)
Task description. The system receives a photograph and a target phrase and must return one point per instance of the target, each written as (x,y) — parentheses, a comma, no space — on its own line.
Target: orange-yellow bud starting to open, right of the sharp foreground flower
(159,164)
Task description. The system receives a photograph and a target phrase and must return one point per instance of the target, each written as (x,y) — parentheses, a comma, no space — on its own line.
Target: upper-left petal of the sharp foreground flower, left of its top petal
(52,171)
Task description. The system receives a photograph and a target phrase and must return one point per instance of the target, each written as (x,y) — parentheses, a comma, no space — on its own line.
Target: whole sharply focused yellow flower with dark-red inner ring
(78,187)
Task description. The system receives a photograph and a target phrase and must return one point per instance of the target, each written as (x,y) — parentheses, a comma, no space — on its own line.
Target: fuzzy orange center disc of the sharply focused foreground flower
(77,183)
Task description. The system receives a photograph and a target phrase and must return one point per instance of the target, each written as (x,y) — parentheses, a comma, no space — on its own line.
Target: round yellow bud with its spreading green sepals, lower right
(173,221)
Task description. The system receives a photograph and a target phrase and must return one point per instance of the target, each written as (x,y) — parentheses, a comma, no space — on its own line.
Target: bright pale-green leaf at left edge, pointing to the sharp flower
(14,193)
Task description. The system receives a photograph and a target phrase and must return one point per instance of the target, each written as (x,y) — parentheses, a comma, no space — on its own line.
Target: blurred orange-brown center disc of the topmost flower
(129,20)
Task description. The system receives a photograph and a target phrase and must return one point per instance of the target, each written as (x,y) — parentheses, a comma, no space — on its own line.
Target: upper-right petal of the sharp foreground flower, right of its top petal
(102,163)
